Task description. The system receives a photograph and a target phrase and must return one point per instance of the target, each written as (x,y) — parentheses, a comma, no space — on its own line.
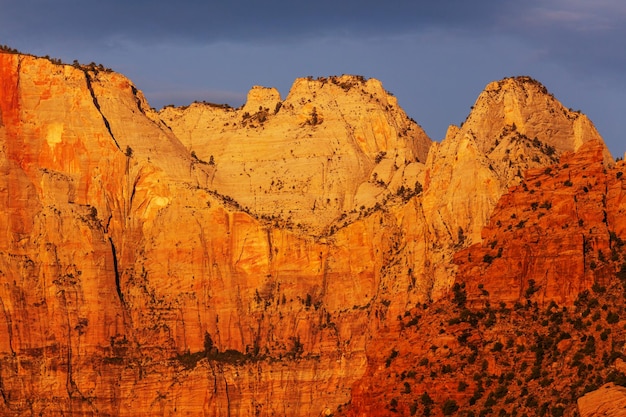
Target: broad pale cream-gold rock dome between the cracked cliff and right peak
(332,146)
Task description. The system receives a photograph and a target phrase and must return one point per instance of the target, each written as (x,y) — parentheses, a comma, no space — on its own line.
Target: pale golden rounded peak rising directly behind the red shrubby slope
(465,175)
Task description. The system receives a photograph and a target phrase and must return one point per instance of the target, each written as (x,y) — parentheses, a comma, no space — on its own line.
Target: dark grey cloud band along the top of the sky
(589,36)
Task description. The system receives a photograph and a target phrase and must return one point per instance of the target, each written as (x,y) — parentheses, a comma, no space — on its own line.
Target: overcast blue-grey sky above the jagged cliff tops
(435,56)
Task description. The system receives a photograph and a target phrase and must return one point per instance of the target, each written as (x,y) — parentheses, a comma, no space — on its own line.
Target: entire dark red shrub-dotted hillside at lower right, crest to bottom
(535,319)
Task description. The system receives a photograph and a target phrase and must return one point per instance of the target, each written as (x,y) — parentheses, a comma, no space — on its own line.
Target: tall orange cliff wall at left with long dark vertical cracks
(121,274)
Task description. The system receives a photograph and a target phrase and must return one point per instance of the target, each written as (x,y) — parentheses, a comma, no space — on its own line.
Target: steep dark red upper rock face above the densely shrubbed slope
(551,237)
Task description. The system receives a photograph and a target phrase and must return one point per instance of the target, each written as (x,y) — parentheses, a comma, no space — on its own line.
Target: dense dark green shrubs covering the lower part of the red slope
(516,355)
